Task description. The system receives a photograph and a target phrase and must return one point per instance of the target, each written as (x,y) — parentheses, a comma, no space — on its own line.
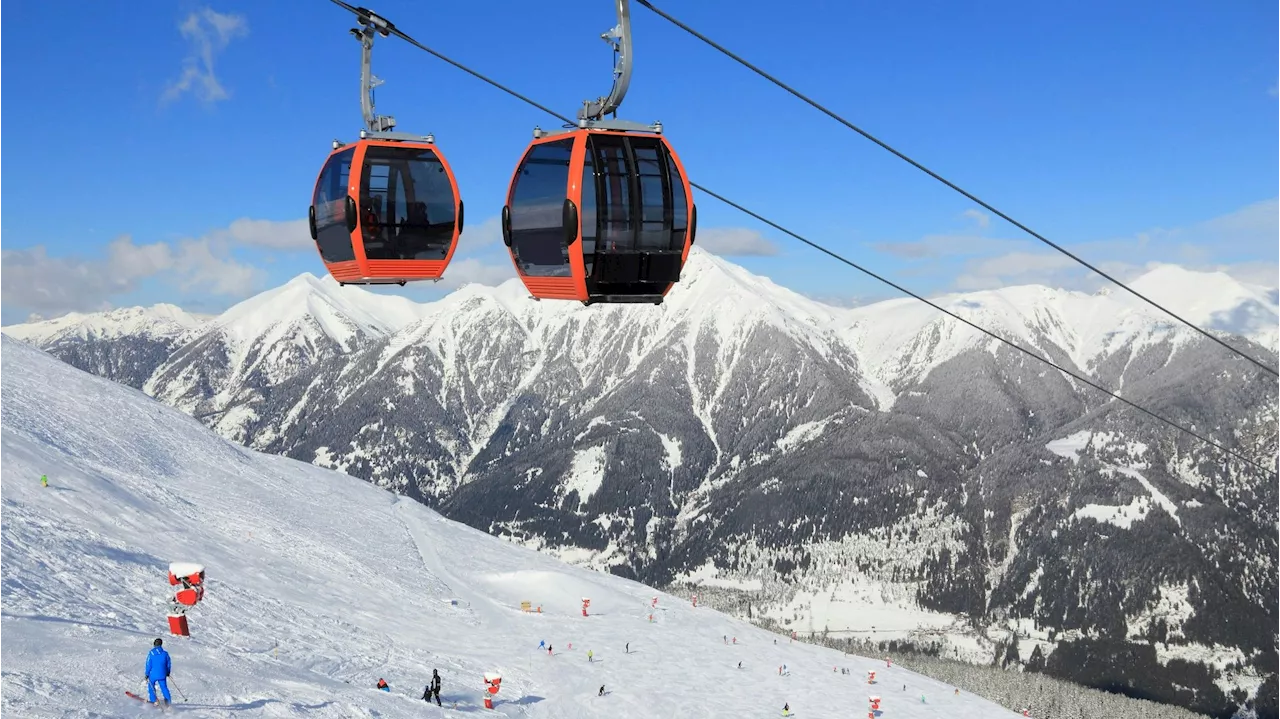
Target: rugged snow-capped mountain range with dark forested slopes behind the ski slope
(826,469)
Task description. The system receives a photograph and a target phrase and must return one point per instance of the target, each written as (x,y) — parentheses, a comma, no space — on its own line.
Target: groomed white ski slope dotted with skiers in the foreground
(319,584)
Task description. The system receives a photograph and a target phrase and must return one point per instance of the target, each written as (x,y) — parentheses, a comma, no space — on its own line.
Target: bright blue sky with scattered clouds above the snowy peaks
(167,153)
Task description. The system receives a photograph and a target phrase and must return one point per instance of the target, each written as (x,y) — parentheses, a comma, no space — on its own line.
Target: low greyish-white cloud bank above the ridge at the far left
(34,282)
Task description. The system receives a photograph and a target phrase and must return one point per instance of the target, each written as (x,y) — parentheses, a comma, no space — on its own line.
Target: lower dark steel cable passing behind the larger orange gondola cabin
(860,268)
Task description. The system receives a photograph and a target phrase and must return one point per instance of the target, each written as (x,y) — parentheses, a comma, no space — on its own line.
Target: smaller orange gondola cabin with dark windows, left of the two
(394,221)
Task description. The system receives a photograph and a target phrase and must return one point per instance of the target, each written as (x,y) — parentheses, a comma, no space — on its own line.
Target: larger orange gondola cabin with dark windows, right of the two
(600,217)
